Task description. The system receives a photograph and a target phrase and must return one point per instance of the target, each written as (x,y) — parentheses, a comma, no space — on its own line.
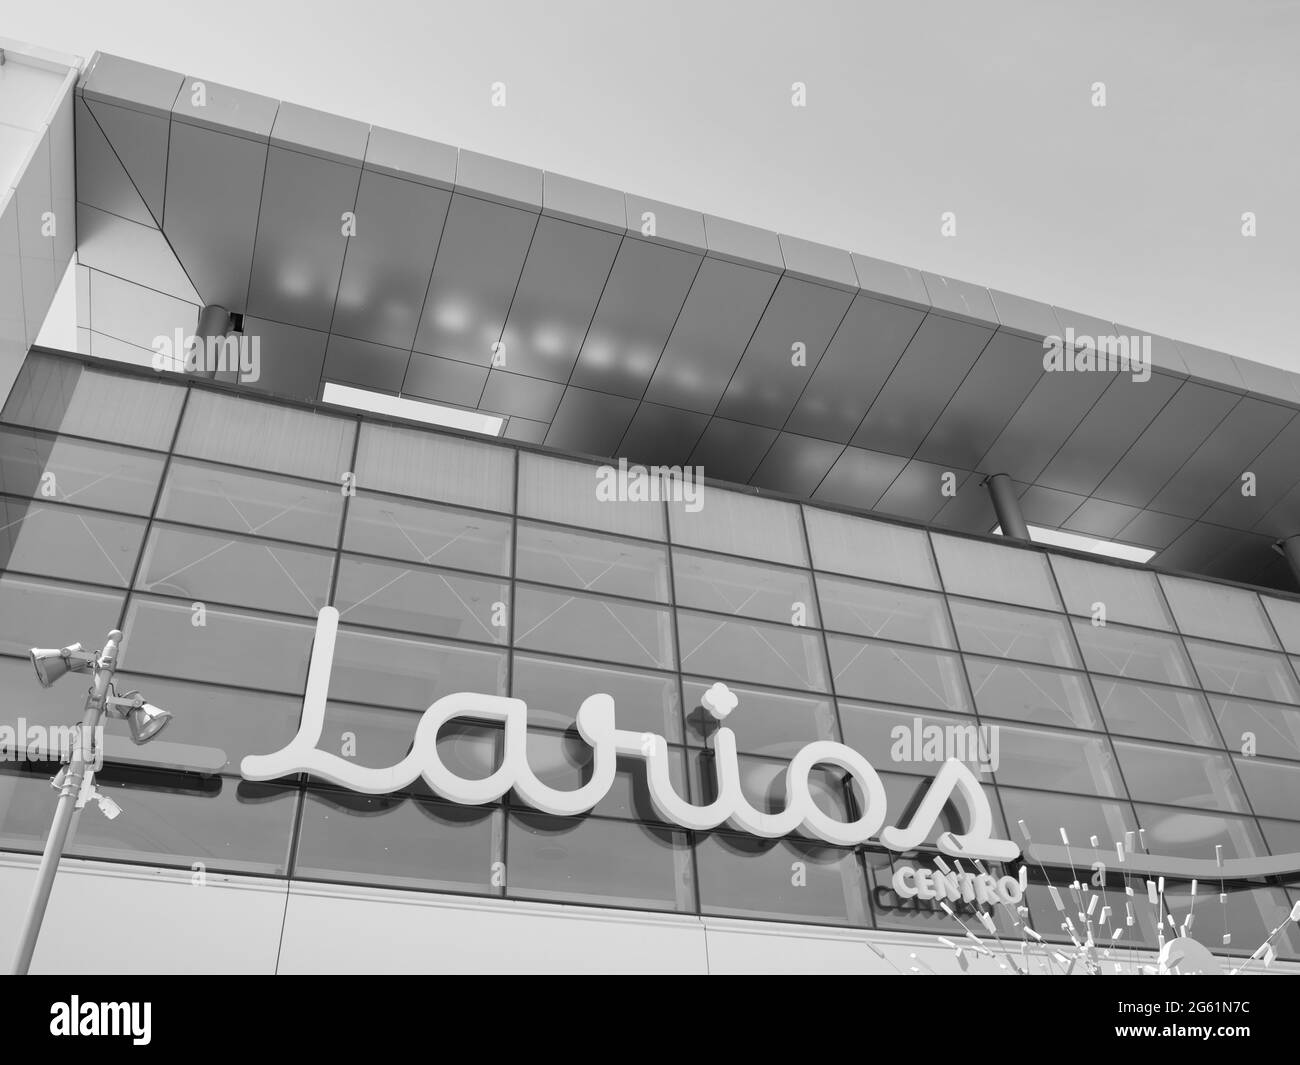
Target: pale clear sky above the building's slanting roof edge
(1129,213)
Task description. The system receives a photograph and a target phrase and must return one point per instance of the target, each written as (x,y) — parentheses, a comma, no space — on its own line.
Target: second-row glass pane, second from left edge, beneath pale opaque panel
(218,497)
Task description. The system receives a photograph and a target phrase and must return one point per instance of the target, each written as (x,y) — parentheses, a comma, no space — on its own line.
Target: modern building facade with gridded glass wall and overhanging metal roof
(1126,725)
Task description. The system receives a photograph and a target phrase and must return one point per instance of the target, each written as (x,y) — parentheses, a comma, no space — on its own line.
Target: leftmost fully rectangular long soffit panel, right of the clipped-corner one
(298,258)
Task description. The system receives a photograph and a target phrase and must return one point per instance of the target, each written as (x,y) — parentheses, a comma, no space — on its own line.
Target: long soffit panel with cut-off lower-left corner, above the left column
(213,204)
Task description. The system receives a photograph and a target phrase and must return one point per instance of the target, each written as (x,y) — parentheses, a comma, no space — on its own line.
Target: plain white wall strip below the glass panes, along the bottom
(158,921)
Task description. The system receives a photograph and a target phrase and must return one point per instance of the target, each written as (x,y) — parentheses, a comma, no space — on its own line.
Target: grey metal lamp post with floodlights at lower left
(73,780)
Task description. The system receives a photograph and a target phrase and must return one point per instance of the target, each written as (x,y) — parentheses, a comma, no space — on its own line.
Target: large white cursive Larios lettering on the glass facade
(599,730)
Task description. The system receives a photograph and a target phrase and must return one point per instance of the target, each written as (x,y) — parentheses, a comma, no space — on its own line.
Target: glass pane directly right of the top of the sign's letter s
(1058,761)
